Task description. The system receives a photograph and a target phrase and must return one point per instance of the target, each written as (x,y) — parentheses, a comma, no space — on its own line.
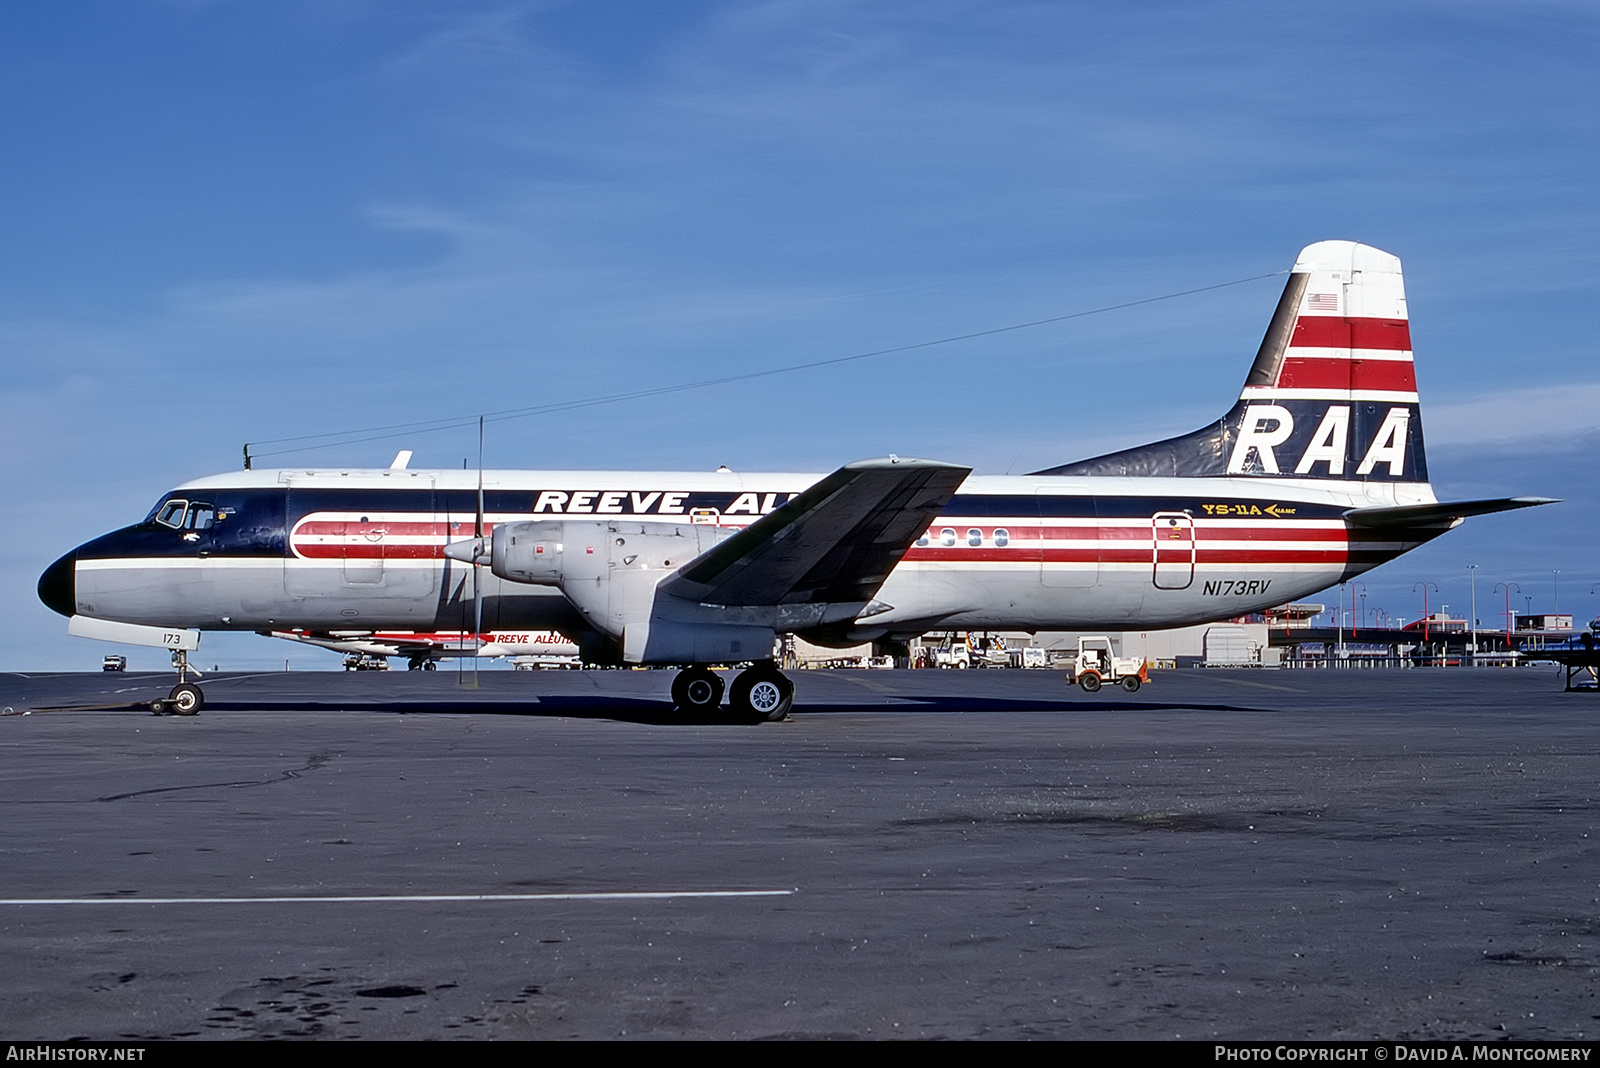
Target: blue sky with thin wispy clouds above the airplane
(231,221)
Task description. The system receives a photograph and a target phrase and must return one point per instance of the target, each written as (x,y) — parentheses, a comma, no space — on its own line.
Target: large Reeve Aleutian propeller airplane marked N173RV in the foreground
(1316,476)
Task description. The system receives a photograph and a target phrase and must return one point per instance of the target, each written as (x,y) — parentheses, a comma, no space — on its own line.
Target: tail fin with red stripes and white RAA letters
(1330,397)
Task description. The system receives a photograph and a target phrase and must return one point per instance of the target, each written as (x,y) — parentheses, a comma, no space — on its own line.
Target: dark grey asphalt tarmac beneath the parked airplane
(914,855)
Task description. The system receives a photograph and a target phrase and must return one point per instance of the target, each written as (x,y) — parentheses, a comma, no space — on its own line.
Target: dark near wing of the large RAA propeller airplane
(836,543)
